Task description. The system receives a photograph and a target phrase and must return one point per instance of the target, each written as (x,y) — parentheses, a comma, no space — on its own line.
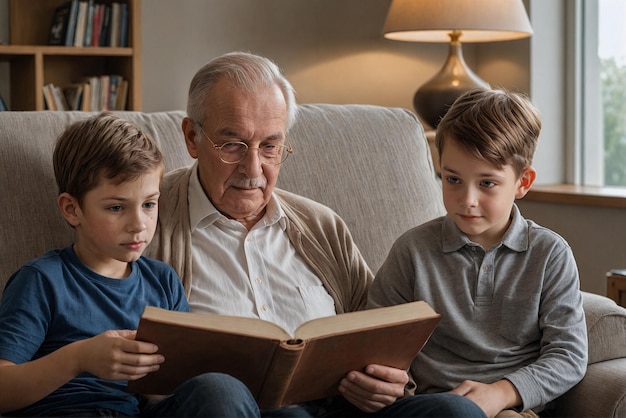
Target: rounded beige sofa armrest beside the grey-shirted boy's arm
(606,328)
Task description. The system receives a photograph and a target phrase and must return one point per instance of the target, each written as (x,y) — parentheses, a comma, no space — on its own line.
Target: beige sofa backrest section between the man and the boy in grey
(371,164)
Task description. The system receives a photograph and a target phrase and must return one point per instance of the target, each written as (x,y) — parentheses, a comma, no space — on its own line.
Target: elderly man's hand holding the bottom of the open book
(375,389)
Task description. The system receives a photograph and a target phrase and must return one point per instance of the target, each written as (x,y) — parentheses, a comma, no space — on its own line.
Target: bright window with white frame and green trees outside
(602,91)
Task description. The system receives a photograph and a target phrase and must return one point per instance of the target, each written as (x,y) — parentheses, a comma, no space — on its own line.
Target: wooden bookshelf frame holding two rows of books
(32,63)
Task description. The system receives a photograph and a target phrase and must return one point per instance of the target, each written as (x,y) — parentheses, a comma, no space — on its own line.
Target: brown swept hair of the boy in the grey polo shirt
(497,126)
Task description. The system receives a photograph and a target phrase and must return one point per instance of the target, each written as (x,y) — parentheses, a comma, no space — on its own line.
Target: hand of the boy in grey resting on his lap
(491,398)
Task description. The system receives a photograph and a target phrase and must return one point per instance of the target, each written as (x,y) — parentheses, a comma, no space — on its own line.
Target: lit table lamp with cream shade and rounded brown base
(453,21)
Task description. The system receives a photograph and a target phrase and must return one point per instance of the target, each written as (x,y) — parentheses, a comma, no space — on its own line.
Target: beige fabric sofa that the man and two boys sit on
(370,164)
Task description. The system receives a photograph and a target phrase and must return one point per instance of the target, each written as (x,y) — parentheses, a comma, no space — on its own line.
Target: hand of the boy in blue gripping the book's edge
(116,355)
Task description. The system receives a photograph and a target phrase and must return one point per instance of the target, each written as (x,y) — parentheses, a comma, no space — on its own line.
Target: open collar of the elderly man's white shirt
(202,212)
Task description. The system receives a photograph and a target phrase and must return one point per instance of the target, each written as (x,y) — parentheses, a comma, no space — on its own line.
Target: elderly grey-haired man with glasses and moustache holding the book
(222,224)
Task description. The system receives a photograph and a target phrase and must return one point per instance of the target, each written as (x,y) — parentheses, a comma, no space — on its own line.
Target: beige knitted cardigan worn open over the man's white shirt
(317,233)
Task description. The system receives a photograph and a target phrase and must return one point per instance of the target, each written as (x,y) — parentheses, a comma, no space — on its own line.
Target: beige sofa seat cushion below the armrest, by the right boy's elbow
(601,393)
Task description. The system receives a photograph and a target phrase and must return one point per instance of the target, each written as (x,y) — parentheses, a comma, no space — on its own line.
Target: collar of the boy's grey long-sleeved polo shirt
(516,237)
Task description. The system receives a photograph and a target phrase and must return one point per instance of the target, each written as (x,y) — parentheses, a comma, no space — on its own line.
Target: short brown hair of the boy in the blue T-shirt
(102,146)
